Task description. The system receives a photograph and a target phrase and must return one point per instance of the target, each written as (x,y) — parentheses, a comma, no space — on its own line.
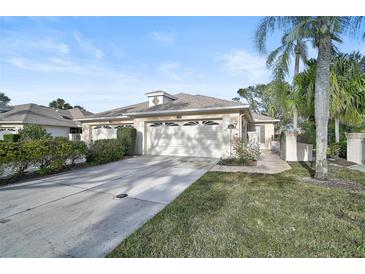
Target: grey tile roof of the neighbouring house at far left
(36,114)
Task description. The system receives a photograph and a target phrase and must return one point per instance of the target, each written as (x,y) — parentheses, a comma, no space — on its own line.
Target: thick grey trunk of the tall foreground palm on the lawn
(321,106)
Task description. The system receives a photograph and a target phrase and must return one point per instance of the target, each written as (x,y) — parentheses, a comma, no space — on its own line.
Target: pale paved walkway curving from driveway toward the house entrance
(271,163)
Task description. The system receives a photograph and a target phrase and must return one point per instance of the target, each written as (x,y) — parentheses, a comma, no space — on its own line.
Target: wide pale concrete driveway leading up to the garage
(77,213)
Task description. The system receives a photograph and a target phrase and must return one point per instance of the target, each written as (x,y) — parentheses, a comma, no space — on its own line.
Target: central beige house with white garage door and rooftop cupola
(181,124)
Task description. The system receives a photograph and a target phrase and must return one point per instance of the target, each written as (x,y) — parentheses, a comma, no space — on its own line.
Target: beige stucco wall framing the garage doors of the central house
(141,126)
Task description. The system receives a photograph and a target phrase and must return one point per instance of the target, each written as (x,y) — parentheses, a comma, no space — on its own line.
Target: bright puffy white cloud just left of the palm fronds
(244,63)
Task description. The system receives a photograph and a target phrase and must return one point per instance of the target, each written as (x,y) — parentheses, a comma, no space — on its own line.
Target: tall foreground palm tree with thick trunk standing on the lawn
(323,32)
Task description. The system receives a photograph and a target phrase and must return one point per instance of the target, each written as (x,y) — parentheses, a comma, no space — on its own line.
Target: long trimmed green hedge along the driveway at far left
(48,155)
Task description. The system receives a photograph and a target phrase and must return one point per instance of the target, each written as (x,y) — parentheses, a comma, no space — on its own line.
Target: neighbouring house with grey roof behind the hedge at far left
(57,122)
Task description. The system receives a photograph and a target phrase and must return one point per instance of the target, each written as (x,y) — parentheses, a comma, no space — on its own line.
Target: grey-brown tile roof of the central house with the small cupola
(183,102)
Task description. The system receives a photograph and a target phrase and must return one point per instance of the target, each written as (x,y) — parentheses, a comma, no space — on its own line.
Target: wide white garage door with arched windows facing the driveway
(188,138)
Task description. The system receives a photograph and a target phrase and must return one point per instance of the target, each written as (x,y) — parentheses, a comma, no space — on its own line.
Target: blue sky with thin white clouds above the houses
(106,62)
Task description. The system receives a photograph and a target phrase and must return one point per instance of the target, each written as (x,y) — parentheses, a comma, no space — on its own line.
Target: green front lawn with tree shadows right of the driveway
(247,215)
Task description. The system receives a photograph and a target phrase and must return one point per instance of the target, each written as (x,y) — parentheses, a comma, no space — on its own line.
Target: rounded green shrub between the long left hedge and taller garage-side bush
(104,151)
